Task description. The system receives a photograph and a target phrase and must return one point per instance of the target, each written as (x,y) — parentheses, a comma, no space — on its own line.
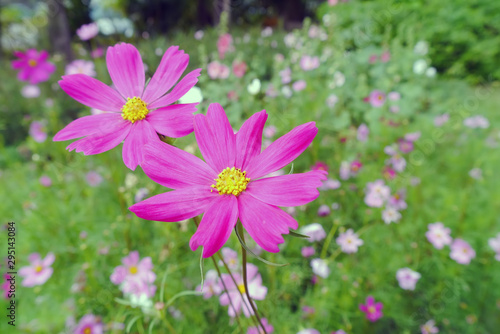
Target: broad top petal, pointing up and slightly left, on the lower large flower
(215,138)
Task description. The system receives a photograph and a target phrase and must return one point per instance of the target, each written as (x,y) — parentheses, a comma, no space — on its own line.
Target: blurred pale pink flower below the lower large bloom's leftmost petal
(135,276)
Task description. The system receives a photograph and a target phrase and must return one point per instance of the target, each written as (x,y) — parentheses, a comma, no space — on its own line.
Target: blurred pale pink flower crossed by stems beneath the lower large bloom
(255,289)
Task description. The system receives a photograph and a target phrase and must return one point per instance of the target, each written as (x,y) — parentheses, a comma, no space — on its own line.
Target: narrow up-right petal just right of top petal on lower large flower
(249,139)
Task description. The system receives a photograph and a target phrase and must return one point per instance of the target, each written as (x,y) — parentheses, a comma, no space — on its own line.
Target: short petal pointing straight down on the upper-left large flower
(141,133)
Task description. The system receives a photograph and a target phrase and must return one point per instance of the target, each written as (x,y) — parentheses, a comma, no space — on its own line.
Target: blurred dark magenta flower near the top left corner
(33,66)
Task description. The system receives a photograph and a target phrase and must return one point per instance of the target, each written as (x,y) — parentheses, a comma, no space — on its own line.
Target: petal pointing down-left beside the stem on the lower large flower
(216,225)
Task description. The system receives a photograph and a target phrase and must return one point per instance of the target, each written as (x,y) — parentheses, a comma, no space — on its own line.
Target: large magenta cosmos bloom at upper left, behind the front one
(136,114)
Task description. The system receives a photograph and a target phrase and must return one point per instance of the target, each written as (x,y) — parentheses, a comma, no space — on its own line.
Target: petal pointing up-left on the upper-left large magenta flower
(91,92)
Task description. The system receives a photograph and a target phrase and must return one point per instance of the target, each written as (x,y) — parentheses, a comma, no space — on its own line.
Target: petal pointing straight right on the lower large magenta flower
(288,190)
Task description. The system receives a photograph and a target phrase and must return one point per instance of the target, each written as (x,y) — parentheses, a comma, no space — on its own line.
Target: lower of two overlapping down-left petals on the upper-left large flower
(104,140)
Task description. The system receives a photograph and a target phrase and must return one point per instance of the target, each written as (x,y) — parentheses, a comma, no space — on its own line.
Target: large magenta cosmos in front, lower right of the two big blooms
(231,184)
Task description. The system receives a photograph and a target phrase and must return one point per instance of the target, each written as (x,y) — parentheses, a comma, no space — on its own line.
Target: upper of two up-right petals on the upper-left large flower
(172,65)
